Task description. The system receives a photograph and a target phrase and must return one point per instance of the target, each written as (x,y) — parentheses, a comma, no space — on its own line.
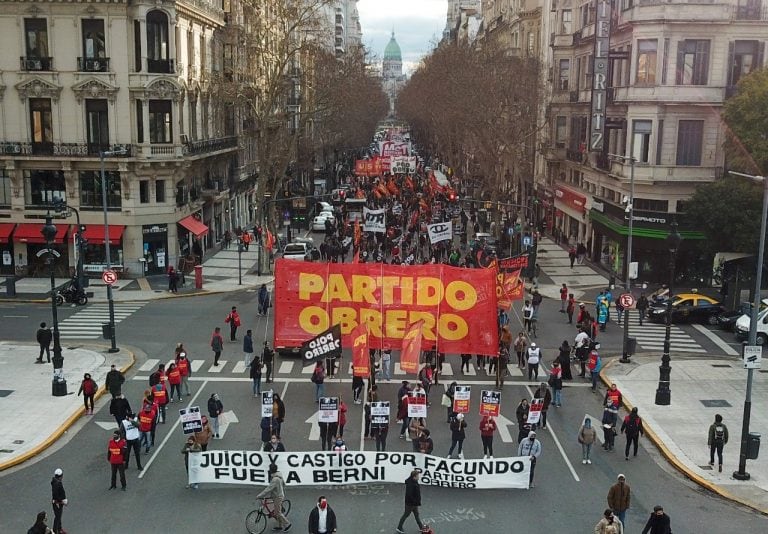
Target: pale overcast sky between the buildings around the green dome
(418,24)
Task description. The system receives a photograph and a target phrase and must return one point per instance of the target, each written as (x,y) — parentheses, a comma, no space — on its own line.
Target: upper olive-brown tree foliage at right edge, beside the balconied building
(746,118)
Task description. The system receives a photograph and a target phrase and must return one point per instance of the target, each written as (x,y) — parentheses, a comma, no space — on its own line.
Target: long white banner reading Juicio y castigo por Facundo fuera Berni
(331,468)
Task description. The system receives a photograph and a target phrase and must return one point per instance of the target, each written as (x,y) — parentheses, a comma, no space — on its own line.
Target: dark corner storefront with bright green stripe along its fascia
(649,249)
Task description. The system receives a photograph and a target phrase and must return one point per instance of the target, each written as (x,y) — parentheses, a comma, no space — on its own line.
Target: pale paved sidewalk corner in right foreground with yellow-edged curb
(701,387)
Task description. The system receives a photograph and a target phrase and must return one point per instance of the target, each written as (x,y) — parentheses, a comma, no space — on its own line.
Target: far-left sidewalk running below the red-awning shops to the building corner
(220,275)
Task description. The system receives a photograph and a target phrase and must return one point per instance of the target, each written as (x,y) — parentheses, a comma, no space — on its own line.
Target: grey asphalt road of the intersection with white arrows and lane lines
(568,497)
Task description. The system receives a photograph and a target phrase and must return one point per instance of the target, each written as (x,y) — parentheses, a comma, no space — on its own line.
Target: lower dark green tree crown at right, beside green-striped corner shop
(728,212)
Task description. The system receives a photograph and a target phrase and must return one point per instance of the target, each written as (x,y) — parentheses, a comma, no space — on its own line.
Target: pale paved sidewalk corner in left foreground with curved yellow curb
(31,417)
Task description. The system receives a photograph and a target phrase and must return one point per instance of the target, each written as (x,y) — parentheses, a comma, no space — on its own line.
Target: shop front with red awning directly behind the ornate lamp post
(29,242)
